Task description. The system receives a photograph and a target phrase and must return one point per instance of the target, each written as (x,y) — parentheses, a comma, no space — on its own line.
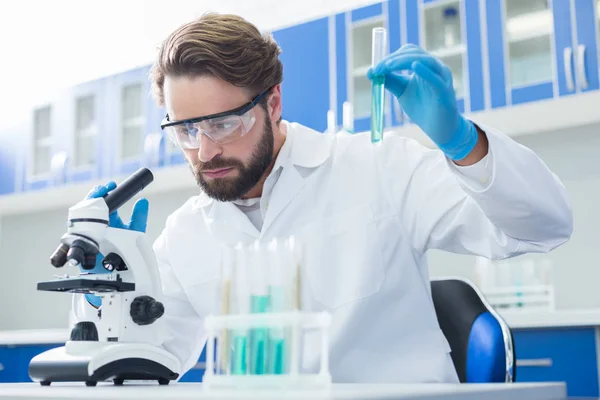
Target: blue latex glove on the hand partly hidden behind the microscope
(139,219)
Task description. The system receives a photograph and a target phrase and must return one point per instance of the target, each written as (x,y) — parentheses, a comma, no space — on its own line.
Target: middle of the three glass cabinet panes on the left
(85,132)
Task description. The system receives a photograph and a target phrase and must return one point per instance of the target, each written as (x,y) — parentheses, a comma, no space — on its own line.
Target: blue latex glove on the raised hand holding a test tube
(427,97)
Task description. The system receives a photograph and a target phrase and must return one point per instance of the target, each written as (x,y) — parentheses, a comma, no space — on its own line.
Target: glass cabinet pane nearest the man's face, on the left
(132,121)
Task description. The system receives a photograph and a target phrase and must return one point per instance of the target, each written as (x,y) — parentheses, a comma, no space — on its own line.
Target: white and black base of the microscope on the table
(92,362)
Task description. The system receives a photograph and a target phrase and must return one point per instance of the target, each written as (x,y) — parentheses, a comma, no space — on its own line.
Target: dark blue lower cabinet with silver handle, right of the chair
(567,355)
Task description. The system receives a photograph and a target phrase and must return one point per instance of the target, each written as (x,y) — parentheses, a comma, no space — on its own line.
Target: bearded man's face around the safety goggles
(227,171)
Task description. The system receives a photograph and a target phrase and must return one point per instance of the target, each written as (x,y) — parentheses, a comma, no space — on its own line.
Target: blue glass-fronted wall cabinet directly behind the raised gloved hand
(450,30)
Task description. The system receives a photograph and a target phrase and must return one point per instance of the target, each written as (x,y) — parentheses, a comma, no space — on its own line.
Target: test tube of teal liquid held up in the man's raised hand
(378,85)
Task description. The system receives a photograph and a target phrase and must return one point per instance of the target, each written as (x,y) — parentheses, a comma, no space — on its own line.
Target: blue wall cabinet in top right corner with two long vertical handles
(539,50)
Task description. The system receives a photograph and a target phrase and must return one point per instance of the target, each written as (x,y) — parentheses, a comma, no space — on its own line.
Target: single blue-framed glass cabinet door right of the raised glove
(530,50)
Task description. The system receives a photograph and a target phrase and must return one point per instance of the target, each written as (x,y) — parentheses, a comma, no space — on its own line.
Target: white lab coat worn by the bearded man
(366,215)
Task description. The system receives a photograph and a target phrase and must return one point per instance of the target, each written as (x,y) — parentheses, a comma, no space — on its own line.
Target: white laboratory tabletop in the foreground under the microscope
(181,391)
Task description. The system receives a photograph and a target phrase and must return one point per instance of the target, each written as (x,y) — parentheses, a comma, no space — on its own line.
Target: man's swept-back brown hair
(223,45)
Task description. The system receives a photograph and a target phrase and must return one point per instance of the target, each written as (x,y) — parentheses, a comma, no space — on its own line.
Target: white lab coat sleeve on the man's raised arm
(521,207)
